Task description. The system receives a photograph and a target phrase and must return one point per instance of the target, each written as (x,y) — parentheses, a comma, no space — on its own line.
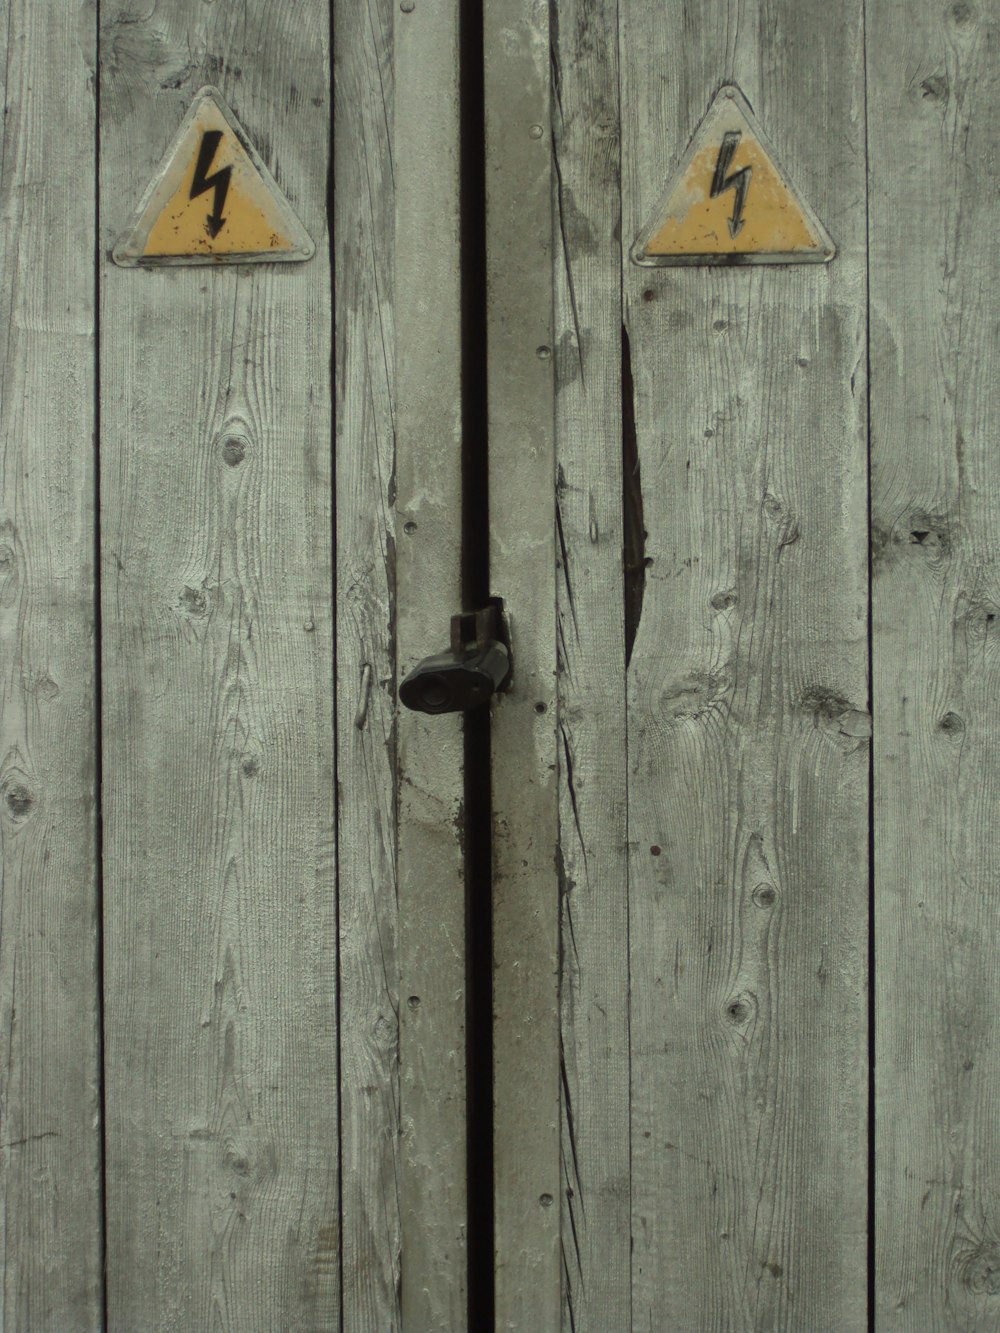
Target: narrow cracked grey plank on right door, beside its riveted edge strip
(593,794)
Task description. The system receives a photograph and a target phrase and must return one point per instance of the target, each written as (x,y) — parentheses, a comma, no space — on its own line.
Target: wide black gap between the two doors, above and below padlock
(475,593)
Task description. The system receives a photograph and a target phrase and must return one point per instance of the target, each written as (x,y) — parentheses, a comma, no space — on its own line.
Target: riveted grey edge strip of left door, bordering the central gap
(429,593)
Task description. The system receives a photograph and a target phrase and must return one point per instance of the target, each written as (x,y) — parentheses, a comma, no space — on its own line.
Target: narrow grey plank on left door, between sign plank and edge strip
(363,234)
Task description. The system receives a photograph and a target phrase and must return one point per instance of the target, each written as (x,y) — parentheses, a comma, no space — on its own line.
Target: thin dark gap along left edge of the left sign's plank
(98,670)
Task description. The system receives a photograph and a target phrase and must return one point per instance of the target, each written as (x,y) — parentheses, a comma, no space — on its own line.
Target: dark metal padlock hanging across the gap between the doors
(467,676)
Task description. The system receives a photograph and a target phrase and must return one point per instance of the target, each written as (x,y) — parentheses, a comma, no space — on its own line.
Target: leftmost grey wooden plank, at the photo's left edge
(50,1128)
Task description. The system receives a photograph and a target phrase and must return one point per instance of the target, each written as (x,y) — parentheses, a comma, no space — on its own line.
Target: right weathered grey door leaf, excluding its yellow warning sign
(777,692)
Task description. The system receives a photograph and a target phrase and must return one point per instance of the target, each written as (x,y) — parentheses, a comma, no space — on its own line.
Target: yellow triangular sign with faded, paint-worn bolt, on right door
(730,202)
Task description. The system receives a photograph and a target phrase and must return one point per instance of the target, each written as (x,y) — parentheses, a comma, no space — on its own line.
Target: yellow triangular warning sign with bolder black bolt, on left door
(213,201)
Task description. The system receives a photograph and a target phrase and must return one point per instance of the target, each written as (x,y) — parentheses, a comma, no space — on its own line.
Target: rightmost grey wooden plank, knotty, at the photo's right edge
(934,87)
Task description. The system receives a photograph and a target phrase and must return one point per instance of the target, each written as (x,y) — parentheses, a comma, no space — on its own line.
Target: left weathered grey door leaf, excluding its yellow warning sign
(215,1103)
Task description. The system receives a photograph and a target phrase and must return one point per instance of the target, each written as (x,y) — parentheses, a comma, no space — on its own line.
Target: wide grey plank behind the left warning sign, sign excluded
(222,1043)
